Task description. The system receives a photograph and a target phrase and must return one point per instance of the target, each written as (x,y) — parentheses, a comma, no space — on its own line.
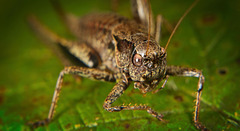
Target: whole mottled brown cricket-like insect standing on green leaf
(120,50)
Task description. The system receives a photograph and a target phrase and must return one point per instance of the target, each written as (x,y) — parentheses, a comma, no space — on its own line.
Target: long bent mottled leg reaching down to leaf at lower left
(91,73)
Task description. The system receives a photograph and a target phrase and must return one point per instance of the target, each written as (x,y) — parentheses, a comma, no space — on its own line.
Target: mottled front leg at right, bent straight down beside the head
(183,71)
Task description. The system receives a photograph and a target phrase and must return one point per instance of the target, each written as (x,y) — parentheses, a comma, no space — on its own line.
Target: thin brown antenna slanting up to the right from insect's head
(179,21)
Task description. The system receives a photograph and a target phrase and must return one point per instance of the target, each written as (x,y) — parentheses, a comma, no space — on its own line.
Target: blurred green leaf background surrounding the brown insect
(207,39)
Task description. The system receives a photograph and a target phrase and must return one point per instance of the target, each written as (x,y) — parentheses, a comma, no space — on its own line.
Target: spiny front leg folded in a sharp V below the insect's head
(116,92)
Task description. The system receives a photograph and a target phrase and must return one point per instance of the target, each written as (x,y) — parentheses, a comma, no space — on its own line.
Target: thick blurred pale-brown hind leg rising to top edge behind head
(141,10)
